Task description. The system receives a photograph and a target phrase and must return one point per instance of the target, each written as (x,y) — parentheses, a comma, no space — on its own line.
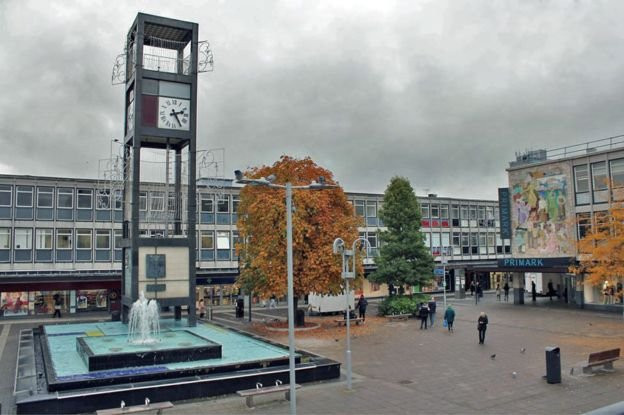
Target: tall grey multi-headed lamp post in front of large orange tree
(268,182)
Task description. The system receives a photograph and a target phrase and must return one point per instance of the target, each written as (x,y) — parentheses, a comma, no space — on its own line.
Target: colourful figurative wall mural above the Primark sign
(539,216)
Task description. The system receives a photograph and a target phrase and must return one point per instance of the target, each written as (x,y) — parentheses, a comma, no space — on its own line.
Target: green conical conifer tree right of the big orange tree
(404,259)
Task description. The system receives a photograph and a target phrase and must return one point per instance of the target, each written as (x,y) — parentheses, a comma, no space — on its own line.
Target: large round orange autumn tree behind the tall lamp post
(319,216)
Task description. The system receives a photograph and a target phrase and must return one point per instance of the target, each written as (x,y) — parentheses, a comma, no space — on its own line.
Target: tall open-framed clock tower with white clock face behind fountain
(161,66)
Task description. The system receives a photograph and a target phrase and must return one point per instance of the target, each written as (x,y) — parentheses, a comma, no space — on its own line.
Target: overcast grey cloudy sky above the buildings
(443,93)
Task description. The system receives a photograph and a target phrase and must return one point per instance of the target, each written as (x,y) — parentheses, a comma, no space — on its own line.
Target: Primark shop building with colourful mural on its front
(554,197)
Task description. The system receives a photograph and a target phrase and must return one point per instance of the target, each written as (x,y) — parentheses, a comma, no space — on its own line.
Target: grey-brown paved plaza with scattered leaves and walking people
(401,369)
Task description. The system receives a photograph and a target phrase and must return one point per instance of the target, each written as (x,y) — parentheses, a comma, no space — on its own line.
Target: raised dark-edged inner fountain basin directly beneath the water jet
(114,351)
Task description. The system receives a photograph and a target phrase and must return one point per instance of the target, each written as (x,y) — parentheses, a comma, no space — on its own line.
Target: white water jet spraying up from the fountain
(144,323)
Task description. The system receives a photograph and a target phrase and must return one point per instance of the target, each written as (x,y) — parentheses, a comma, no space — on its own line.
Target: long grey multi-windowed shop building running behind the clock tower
(60,241)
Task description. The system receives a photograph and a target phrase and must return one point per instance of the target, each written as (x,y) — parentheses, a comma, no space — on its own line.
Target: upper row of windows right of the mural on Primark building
(592,181)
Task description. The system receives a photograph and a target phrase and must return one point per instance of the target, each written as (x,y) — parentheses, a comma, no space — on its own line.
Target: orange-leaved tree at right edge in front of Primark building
(601,250)
